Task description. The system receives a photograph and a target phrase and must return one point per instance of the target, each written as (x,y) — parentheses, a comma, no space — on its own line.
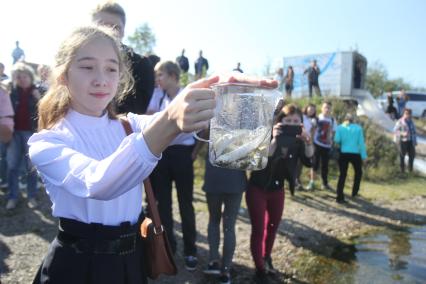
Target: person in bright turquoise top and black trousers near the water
(350,138)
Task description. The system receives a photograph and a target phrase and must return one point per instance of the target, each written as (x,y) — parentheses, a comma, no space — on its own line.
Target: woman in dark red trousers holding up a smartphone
(265,195)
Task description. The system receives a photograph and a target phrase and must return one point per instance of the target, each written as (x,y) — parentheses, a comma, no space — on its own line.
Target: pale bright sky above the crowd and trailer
(256,33)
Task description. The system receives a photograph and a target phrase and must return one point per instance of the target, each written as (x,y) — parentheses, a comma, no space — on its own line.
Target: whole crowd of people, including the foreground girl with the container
(67,131)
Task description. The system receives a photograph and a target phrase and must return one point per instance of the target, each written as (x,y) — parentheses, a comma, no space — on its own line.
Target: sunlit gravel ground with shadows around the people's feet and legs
(312,222)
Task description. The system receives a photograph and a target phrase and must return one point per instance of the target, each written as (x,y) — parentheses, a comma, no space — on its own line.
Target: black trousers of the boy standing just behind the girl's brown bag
(176,165)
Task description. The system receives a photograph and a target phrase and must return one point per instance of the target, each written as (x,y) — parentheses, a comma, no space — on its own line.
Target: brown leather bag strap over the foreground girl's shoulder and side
(152,203)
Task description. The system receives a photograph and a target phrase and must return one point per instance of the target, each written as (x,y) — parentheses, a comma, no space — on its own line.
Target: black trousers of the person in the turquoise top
(344,160)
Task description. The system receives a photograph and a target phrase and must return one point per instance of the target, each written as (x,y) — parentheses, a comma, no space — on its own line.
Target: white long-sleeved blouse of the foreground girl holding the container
(92,172)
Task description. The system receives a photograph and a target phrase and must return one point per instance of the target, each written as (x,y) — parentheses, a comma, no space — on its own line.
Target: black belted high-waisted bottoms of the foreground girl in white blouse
(82,263)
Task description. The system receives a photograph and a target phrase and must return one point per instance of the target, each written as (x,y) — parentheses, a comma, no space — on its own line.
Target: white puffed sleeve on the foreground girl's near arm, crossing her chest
(52,154)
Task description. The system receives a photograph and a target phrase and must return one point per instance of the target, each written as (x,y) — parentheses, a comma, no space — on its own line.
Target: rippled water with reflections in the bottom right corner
(388,257)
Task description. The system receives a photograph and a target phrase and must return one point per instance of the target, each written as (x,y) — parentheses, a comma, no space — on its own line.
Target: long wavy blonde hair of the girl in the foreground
(56,103)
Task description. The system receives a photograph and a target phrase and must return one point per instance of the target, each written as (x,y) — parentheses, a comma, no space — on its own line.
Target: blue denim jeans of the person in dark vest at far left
(17,153)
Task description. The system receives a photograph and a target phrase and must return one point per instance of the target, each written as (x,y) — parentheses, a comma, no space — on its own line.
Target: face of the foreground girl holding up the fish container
(93,77)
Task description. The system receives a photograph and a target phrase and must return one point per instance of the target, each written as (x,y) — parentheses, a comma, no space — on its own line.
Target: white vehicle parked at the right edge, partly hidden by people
(416,102)
